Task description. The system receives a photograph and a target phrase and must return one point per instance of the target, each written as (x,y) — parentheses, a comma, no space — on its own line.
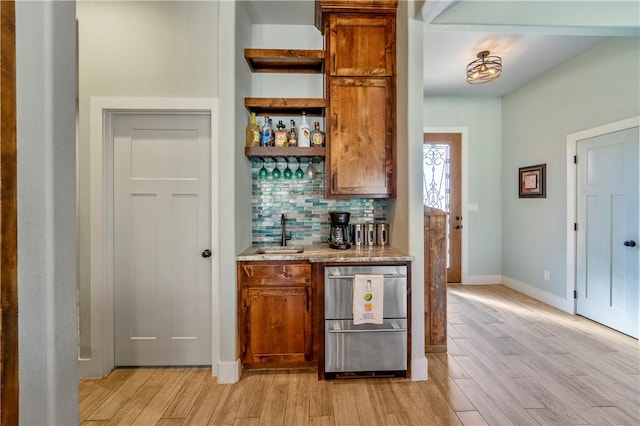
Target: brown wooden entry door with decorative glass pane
(442,190)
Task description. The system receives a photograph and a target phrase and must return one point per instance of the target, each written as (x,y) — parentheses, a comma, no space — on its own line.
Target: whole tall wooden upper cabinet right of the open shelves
(360,91)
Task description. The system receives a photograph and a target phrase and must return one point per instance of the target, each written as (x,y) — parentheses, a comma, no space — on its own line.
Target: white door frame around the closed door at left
(102,110)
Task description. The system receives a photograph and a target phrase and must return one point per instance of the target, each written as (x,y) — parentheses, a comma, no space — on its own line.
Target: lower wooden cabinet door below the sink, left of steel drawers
(278,325)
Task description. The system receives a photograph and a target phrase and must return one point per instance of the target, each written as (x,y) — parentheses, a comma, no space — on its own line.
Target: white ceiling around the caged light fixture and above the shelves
(531,36)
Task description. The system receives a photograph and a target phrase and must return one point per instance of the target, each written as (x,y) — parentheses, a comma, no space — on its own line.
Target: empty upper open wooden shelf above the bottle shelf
(285,60)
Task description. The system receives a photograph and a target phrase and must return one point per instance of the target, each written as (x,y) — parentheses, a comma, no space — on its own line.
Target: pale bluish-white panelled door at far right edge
(608,230)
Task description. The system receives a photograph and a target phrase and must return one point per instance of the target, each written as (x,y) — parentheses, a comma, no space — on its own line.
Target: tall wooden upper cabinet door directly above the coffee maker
(361,138)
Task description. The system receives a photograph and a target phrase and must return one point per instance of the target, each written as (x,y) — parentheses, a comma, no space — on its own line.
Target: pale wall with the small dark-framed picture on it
(599,86)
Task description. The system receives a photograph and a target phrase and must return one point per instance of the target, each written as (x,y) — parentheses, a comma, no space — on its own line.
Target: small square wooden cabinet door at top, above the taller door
(361,46)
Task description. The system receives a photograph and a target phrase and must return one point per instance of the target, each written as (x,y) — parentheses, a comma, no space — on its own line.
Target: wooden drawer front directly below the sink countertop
(274,274)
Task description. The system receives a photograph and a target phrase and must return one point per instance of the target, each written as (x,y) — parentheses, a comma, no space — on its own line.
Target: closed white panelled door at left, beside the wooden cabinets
(162,226)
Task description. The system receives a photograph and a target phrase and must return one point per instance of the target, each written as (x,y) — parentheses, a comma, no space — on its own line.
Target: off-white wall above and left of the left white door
(137,49)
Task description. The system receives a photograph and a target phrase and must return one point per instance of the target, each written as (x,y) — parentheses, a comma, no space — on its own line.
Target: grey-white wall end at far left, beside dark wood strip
(46,101)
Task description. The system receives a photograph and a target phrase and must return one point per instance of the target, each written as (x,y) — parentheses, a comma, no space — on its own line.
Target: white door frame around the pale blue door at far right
(572,194)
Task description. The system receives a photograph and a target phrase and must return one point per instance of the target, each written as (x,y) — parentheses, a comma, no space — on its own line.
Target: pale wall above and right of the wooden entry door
(482,177)
